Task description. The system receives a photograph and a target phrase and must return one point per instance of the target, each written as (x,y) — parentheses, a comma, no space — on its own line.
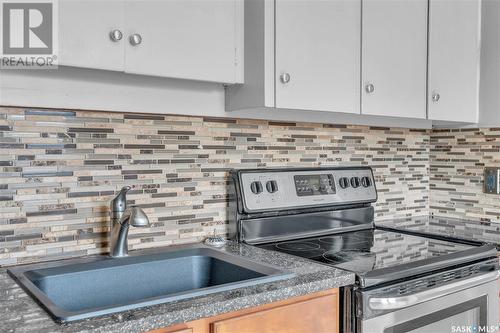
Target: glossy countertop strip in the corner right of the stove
(479,231)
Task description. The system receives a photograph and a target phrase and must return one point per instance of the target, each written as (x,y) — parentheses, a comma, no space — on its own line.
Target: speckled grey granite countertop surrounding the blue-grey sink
(20,313)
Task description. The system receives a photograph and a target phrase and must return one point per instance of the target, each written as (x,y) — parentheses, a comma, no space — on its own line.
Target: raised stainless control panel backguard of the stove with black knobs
(268,205)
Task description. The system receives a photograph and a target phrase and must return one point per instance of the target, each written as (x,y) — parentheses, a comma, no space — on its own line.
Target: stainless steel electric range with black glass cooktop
(404,283)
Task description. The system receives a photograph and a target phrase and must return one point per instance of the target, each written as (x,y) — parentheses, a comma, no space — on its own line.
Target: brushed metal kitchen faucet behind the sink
(121,218)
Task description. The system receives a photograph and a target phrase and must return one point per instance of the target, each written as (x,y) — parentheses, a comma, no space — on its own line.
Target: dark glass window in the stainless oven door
(468,314)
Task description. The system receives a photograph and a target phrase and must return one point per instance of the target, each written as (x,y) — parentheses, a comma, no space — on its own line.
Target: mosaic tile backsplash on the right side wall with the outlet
(457,161)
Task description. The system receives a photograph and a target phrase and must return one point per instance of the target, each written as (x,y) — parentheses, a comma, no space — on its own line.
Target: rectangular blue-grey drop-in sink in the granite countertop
(81,288)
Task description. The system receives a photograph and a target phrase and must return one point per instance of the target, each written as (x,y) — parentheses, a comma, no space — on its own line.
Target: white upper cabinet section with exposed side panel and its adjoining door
(300,55)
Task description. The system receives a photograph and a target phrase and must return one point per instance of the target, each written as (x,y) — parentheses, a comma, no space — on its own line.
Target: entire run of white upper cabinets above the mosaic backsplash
(414,59)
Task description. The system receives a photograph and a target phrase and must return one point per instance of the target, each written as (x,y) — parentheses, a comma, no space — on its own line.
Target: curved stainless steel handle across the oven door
(393,303)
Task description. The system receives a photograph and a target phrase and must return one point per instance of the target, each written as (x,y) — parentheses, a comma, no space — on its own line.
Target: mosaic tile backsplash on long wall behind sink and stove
(60,168)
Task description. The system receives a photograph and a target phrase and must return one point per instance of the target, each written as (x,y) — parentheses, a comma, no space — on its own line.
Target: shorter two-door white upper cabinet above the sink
(194,39)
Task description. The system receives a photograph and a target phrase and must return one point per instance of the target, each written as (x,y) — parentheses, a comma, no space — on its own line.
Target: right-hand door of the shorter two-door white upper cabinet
(193,39)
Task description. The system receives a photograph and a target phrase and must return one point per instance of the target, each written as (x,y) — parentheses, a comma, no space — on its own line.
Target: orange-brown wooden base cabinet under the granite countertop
(318,312)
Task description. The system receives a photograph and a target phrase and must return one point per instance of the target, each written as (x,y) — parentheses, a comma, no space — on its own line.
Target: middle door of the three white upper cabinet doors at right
(394,58)
